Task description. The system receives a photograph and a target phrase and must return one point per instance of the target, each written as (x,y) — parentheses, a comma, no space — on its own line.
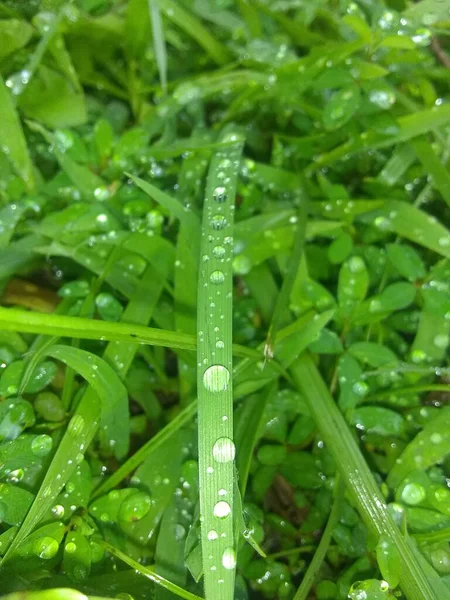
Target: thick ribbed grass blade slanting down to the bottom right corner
(359,481)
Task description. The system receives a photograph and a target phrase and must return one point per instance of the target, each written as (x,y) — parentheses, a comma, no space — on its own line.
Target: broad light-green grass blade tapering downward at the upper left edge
(13,139)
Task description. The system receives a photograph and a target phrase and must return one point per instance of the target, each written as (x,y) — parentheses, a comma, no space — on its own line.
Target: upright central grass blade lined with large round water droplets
(214,386)
